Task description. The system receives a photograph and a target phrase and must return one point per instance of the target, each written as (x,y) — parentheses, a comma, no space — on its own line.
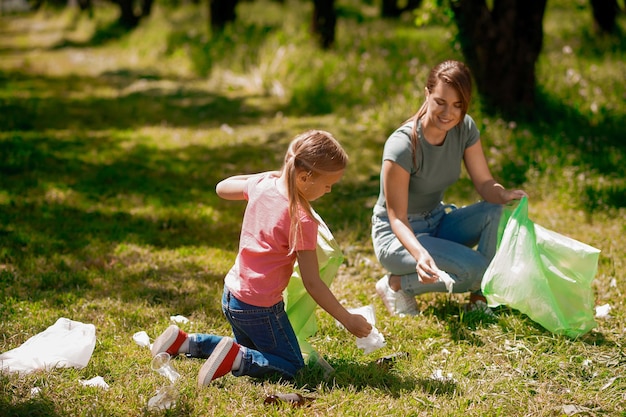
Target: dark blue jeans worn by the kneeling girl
(269,341)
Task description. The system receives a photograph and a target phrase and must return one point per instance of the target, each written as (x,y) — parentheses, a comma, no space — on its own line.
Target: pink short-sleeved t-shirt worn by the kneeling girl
(264,265)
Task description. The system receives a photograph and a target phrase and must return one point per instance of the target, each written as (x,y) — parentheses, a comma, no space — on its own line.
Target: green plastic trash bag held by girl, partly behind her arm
(299,305)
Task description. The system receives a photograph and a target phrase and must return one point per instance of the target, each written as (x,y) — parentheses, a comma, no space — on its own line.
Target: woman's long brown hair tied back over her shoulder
(455,74)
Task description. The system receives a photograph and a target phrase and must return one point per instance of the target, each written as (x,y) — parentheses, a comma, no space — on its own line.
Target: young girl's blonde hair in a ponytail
(314,152)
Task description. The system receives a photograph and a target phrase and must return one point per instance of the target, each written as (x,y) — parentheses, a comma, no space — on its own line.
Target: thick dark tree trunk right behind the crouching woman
(501,47)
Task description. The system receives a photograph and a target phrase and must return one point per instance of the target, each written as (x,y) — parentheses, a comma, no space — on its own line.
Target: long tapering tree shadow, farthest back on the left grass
(133,100)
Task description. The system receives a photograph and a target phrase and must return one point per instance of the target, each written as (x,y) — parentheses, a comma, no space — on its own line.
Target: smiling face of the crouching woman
(445,109)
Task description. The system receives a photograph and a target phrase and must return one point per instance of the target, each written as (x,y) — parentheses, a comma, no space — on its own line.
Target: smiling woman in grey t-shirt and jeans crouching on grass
(416,236)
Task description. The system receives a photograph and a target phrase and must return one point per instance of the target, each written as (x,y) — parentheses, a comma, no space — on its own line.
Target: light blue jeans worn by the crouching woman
(449,236)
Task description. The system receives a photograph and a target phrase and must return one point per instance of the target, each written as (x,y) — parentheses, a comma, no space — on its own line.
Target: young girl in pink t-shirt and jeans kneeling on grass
(278,228)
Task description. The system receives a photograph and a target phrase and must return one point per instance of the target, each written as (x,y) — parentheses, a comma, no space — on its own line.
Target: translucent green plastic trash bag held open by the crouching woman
(543,274)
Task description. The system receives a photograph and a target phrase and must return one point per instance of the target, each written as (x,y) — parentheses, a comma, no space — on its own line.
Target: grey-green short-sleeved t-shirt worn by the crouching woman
(435,167)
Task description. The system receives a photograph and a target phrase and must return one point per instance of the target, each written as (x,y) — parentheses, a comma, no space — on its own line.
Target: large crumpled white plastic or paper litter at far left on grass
(65,344)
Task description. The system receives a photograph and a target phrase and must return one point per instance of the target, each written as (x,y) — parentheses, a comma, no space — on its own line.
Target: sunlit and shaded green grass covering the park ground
(111,144)
